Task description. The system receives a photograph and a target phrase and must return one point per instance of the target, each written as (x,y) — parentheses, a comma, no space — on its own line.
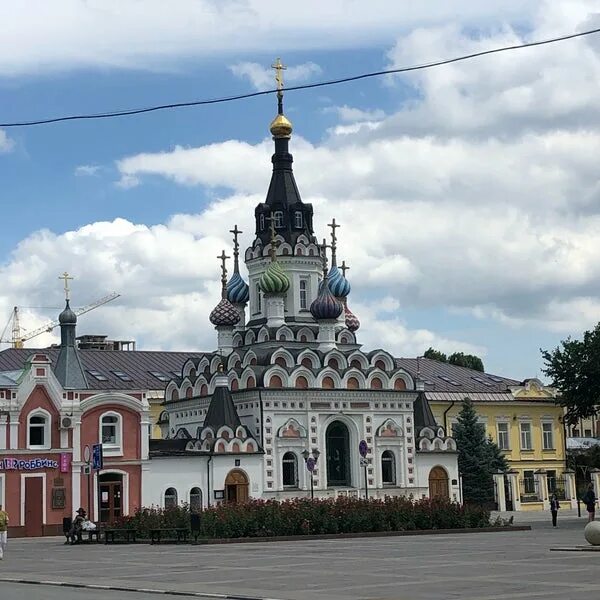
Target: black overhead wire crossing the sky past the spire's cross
(438,63)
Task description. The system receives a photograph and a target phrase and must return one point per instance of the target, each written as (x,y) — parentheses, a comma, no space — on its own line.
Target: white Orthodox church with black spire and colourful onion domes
(289,405)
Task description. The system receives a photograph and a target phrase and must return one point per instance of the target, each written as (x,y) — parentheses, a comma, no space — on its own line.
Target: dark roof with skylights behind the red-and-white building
(137,366)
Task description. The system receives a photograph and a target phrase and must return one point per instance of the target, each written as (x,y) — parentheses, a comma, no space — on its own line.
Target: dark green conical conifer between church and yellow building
(478,457)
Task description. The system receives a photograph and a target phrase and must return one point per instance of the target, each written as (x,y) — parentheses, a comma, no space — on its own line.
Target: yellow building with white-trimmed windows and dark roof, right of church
(521,417)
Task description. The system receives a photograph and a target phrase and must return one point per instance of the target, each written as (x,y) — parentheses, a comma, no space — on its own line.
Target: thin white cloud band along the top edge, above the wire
(41,36)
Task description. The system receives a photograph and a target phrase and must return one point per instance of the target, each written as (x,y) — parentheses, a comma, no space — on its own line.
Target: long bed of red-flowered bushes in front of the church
(260,518)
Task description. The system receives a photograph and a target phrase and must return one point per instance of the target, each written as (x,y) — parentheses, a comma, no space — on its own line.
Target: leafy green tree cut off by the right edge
(574,368)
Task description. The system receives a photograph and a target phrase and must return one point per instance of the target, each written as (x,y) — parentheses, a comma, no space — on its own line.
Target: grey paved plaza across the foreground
(481,566)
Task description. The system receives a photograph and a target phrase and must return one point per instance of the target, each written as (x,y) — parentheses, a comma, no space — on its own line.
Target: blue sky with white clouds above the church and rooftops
(468,194)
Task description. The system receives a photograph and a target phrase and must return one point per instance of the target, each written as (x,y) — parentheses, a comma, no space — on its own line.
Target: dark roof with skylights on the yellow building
(443,377)
